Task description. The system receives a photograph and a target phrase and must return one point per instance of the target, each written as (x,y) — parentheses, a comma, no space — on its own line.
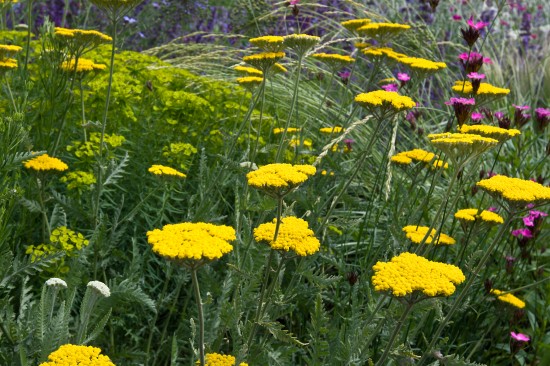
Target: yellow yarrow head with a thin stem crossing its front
(294,234)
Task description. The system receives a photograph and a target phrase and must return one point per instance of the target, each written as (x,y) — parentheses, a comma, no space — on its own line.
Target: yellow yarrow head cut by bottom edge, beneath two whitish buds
(71,355)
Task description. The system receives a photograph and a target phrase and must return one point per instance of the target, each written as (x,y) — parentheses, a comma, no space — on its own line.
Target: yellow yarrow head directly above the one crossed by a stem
(279,179)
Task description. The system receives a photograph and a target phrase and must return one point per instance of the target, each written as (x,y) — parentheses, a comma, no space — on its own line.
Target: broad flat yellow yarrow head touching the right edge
(516,190)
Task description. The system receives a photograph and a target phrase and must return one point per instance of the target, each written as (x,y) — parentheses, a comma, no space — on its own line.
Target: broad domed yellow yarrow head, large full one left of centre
(192,243)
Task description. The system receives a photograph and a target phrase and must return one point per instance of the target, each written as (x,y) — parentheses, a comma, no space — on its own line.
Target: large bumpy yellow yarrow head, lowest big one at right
(408,272)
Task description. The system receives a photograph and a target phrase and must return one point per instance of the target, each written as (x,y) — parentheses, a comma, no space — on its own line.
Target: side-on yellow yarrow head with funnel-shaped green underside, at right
(462,147)
